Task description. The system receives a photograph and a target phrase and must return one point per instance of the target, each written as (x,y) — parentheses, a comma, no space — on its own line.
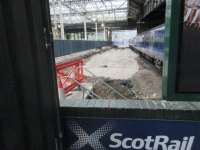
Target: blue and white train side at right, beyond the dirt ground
(151,43)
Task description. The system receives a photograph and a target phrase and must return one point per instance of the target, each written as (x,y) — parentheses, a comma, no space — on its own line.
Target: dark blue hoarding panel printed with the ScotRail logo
(119,134)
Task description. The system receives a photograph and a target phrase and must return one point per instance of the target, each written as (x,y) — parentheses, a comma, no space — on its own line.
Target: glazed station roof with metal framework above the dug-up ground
(75,12)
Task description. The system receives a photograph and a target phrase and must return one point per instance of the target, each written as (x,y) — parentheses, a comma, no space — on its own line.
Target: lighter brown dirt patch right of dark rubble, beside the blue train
(147,81)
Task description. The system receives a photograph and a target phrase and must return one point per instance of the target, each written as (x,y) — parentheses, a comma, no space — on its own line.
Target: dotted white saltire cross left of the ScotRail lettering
(84,138)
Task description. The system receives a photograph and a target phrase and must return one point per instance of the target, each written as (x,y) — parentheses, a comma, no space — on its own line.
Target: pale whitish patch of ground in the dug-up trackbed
(116,64)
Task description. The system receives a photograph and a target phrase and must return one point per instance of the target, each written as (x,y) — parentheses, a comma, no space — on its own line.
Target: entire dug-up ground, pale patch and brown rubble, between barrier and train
(118,74)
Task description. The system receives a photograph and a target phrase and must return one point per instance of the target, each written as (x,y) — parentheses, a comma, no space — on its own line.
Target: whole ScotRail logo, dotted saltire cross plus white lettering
(119,141)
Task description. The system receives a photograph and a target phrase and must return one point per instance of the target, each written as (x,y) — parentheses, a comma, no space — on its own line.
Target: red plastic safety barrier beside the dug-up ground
(69,73)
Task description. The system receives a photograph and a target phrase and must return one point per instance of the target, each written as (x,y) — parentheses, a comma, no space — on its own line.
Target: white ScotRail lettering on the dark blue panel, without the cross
(161,142)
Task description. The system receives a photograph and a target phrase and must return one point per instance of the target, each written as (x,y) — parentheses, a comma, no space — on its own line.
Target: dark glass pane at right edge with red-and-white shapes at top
(189,60)
